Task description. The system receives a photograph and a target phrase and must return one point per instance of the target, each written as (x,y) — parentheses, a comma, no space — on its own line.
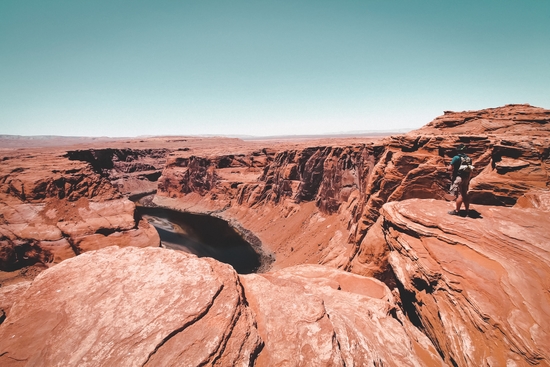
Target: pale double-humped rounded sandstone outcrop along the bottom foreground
(157,307)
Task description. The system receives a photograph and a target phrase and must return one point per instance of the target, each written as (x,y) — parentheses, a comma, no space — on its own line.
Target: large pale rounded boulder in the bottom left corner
(131,307)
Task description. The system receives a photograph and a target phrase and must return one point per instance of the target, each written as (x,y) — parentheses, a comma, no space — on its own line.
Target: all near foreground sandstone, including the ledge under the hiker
(466,292)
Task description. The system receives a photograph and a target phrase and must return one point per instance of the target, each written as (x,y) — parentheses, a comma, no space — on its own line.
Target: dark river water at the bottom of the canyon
(204,236)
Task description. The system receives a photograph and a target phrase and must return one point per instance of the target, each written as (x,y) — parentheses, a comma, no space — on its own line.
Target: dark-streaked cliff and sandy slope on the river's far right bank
(256,193)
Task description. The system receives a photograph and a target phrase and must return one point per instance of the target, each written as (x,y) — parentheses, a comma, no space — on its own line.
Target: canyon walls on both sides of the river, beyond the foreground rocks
(325,195)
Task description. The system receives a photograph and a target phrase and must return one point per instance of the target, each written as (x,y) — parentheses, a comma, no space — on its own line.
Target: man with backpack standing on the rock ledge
(460,168)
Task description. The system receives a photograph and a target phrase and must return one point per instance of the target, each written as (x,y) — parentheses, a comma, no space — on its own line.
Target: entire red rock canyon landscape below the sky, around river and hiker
(360,264)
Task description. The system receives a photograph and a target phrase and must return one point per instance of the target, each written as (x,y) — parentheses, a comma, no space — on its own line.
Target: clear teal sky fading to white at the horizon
(128,68)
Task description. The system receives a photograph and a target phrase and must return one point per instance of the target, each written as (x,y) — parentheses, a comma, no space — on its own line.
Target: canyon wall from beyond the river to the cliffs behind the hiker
(348,184)
